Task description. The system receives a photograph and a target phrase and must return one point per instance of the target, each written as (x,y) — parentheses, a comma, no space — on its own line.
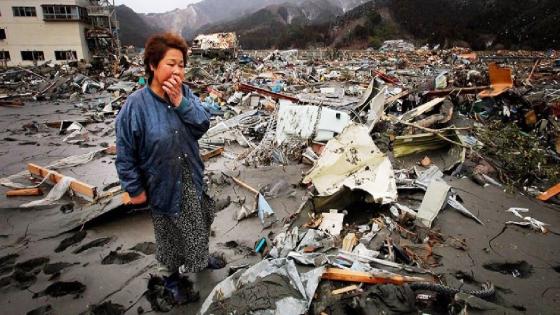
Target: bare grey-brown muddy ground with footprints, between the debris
(36,271)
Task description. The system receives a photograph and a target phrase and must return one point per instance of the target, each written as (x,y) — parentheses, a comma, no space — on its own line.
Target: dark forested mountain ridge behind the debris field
(483,24)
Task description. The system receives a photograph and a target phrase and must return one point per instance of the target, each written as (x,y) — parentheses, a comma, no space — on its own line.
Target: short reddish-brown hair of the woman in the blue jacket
(156,47)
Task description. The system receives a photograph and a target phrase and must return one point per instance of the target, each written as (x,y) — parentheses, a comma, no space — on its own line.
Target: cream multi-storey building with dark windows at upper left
(34,31)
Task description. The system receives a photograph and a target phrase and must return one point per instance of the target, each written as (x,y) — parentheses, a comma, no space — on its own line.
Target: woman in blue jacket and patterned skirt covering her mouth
(158,159)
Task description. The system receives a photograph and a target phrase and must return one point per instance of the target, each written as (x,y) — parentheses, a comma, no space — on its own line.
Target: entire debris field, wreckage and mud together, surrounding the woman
(390,181)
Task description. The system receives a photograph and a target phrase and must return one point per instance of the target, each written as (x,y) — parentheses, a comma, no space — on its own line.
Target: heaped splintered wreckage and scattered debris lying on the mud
(380,131)
